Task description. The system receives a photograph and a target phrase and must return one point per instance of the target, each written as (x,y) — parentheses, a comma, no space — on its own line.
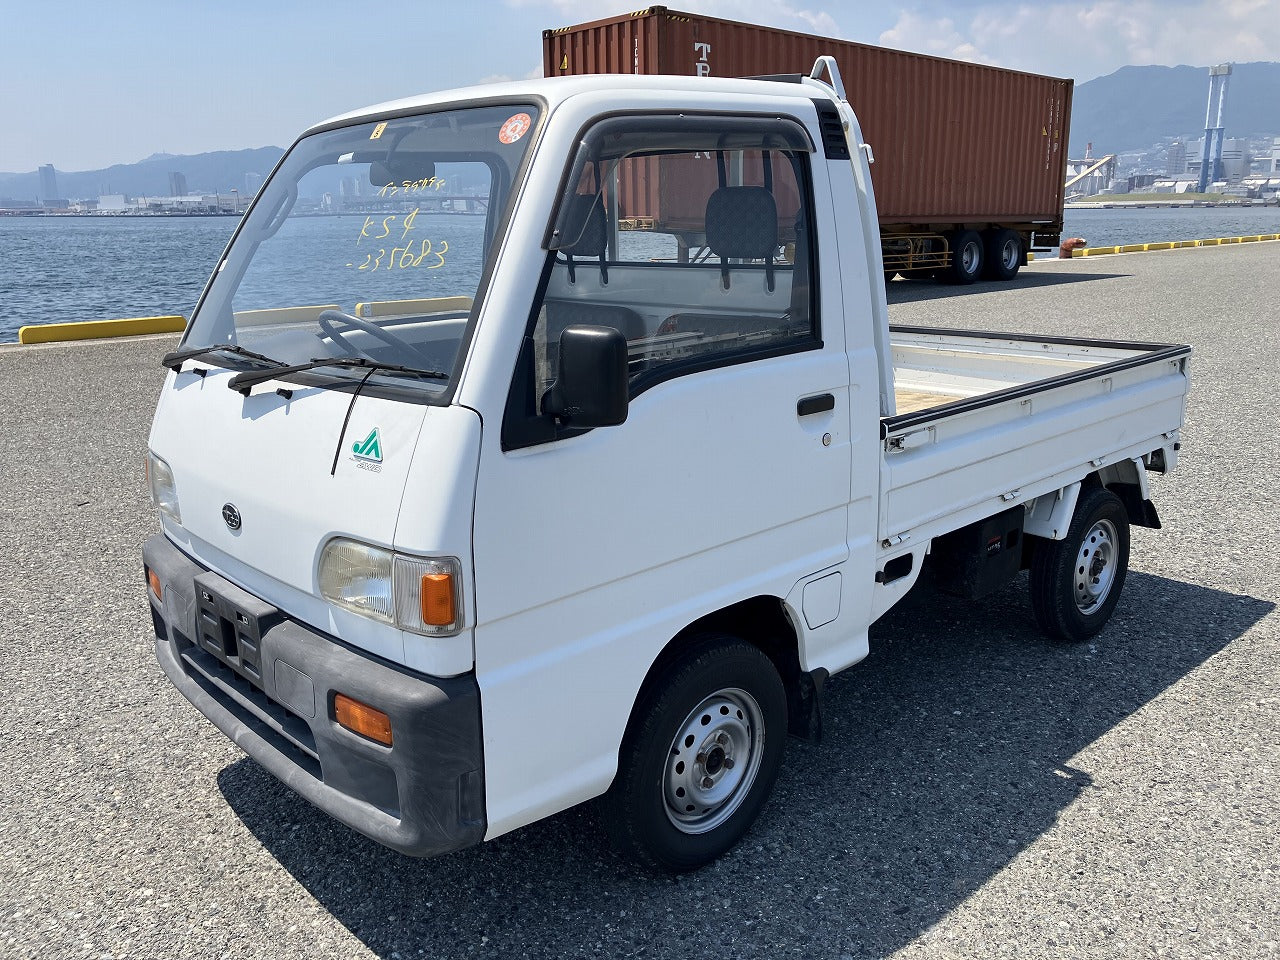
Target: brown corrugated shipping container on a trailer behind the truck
(956,143)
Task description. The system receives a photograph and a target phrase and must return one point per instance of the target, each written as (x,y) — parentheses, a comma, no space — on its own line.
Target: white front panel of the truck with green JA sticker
(268,461)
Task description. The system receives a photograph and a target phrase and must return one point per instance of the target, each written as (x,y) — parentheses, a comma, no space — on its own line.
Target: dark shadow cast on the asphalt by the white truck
(947,755)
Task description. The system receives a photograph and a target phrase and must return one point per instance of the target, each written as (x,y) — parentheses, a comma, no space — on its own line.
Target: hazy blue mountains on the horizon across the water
(1131,109)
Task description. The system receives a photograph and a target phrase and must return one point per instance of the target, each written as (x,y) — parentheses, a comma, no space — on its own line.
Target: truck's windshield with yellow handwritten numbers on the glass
(371,243)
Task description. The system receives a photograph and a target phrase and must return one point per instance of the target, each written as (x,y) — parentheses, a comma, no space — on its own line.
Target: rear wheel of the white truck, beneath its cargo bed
(1076,583)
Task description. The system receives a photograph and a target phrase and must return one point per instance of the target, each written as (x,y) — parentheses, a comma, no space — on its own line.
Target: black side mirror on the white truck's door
(592,386)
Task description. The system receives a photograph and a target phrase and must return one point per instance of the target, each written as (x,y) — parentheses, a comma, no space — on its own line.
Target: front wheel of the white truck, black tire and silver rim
(701,757)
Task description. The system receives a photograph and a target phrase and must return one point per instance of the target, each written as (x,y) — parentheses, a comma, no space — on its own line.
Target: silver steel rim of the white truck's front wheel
(714,761)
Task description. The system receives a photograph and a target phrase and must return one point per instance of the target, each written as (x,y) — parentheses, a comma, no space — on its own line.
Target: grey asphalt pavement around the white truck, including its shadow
(981,792)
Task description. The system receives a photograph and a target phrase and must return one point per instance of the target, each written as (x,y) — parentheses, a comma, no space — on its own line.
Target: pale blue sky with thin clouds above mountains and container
(85,85)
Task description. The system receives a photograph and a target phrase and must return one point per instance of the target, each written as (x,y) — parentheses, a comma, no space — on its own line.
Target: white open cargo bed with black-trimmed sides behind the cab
(989,420)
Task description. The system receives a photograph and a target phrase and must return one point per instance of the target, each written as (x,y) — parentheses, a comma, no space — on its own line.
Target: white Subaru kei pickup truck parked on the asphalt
(476,508)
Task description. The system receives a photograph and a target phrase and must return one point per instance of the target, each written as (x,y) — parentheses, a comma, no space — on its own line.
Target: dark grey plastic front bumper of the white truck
(268,683)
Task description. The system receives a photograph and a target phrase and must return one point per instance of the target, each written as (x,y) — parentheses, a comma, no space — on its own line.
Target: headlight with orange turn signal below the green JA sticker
(420,595)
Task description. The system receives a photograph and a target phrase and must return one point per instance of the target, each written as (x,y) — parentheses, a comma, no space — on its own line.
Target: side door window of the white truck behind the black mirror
(691,236)
